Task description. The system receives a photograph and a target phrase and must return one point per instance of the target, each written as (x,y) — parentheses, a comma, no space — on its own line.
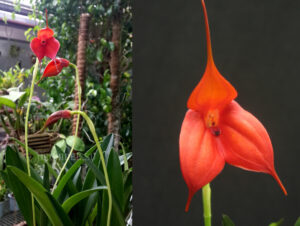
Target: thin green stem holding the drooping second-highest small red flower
(76,129)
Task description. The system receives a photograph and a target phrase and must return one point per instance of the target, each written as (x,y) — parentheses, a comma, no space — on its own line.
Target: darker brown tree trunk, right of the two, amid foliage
(114,117)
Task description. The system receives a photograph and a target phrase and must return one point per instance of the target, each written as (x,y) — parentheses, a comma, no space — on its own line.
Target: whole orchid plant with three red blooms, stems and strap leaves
(70,201)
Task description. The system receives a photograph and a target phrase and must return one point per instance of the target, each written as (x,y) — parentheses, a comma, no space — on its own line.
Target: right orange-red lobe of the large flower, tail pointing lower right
(246,142)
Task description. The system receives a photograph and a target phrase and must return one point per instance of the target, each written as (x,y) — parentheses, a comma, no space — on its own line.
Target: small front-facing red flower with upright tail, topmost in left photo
(45,44)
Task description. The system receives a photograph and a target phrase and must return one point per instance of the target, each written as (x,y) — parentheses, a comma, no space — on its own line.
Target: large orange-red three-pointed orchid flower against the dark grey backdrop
(216,129)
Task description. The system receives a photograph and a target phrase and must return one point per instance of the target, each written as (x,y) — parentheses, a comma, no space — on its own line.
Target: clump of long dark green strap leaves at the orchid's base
(70,204)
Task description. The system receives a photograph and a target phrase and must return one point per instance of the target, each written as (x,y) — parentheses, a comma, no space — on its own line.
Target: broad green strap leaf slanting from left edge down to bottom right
(47,203)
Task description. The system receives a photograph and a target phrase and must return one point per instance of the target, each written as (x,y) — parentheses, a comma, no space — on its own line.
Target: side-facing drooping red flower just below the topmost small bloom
(54,68)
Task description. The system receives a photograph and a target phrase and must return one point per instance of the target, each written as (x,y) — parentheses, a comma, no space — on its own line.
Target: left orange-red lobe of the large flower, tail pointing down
(201,158)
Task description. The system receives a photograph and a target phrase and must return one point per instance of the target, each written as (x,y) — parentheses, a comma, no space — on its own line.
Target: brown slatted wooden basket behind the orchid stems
(41,143)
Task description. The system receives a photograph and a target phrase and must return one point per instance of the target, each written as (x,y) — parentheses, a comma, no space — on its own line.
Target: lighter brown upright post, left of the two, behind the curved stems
(82,43)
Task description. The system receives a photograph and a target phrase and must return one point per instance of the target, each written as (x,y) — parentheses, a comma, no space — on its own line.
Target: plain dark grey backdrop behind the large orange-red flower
(256,46)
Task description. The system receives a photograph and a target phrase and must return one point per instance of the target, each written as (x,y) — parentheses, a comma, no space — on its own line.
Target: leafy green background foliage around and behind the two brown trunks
(63,16)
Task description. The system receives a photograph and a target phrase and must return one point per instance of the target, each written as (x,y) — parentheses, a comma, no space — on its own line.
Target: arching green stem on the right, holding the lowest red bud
(93,131)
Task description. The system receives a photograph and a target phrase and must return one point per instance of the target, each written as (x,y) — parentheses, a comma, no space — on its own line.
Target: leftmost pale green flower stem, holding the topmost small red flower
(26,132)
